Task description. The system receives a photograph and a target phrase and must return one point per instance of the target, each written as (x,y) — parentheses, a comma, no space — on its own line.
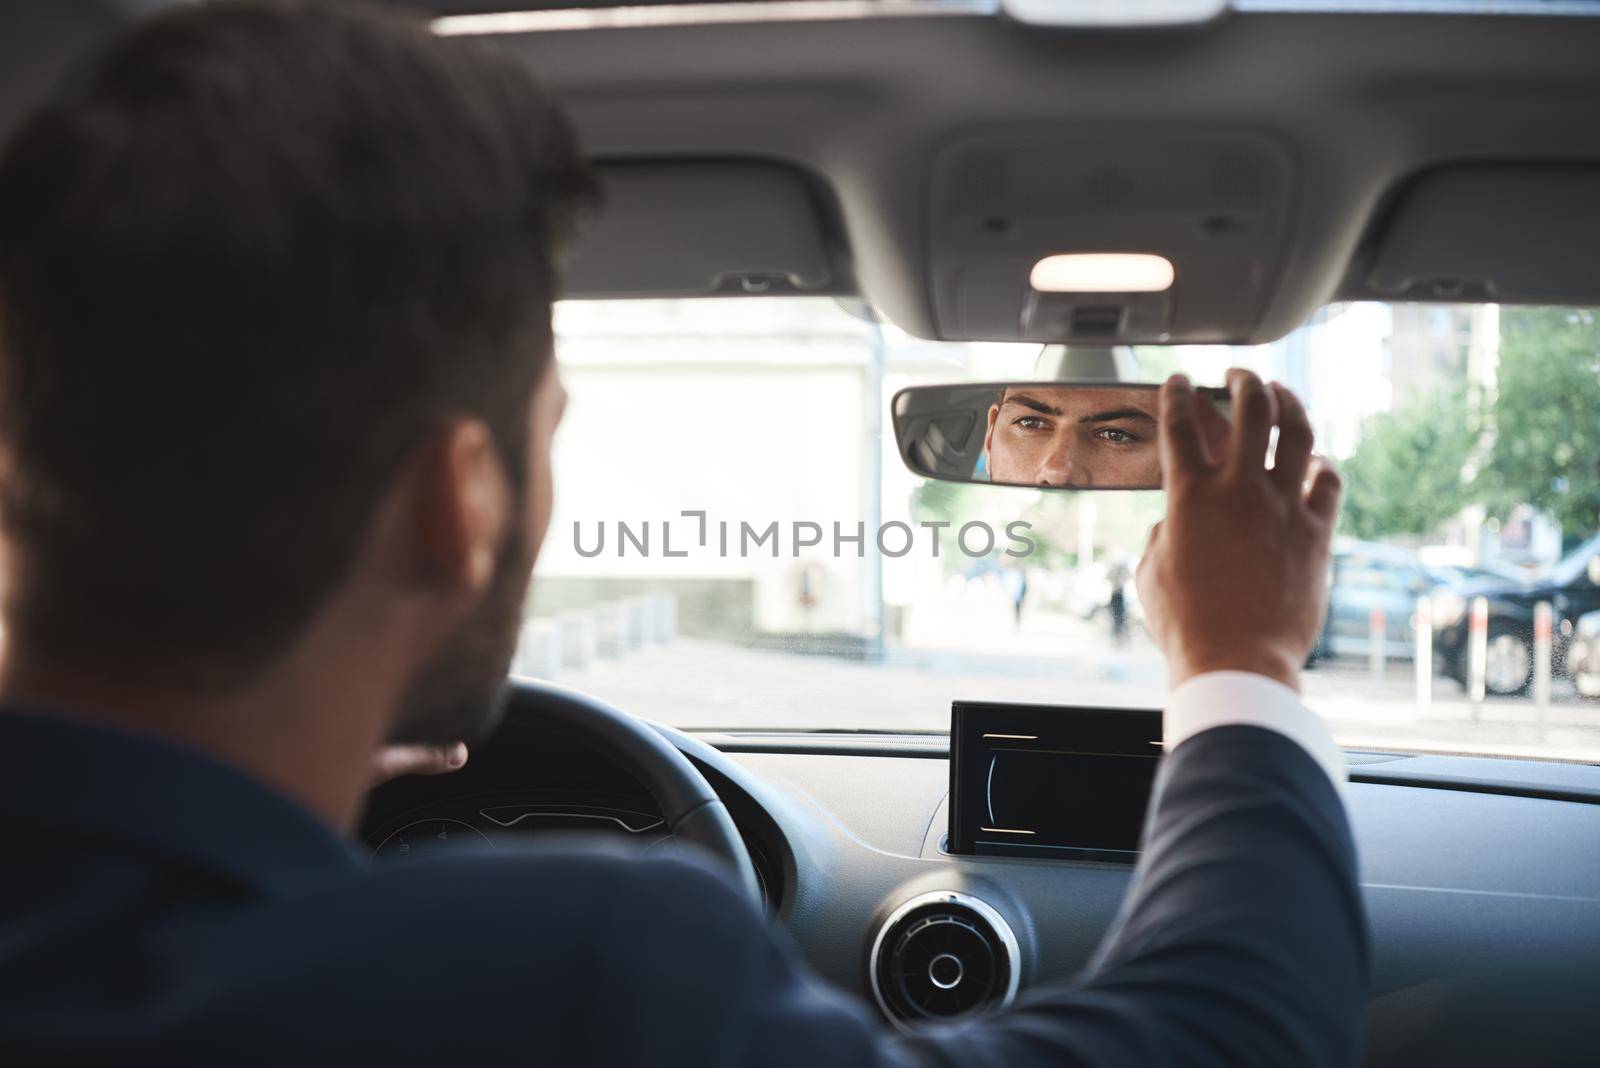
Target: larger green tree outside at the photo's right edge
(1548,416)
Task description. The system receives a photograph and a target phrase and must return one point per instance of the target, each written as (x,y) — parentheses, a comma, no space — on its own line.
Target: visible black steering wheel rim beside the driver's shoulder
(692,810)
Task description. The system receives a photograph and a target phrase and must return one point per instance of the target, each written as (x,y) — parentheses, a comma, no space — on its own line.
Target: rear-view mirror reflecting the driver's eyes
(1063,436)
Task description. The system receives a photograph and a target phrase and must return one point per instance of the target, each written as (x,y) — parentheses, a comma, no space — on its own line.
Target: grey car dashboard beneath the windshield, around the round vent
(1468,864)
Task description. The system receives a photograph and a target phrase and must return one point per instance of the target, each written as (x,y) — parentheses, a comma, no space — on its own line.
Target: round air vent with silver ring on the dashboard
(943,955)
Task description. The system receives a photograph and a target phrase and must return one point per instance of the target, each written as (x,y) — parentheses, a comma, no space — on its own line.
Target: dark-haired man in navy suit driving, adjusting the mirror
(276,410)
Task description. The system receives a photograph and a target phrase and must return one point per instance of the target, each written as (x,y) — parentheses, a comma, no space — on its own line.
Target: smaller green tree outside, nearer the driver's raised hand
(1407,472)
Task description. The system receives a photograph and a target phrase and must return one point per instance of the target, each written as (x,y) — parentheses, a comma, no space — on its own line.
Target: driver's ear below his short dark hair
(462,506)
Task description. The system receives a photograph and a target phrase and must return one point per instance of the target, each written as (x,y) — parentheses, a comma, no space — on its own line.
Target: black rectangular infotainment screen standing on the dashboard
(1050,781)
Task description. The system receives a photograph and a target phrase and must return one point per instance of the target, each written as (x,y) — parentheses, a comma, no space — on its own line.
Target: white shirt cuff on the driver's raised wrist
(1220,699)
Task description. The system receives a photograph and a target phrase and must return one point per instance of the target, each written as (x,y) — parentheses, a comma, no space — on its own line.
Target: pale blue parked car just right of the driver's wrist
(1367,578)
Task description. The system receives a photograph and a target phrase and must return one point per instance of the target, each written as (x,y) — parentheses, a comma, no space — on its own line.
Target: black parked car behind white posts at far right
(1572,586)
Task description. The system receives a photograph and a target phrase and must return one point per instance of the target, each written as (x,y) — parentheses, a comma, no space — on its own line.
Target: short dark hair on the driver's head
(249,263)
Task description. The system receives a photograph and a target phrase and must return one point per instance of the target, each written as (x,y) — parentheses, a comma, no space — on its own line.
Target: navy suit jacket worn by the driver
(158,907)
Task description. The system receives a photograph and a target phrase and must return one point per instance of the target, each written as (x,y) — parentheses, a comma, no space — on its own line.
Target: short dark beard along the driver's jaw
(462,695)
